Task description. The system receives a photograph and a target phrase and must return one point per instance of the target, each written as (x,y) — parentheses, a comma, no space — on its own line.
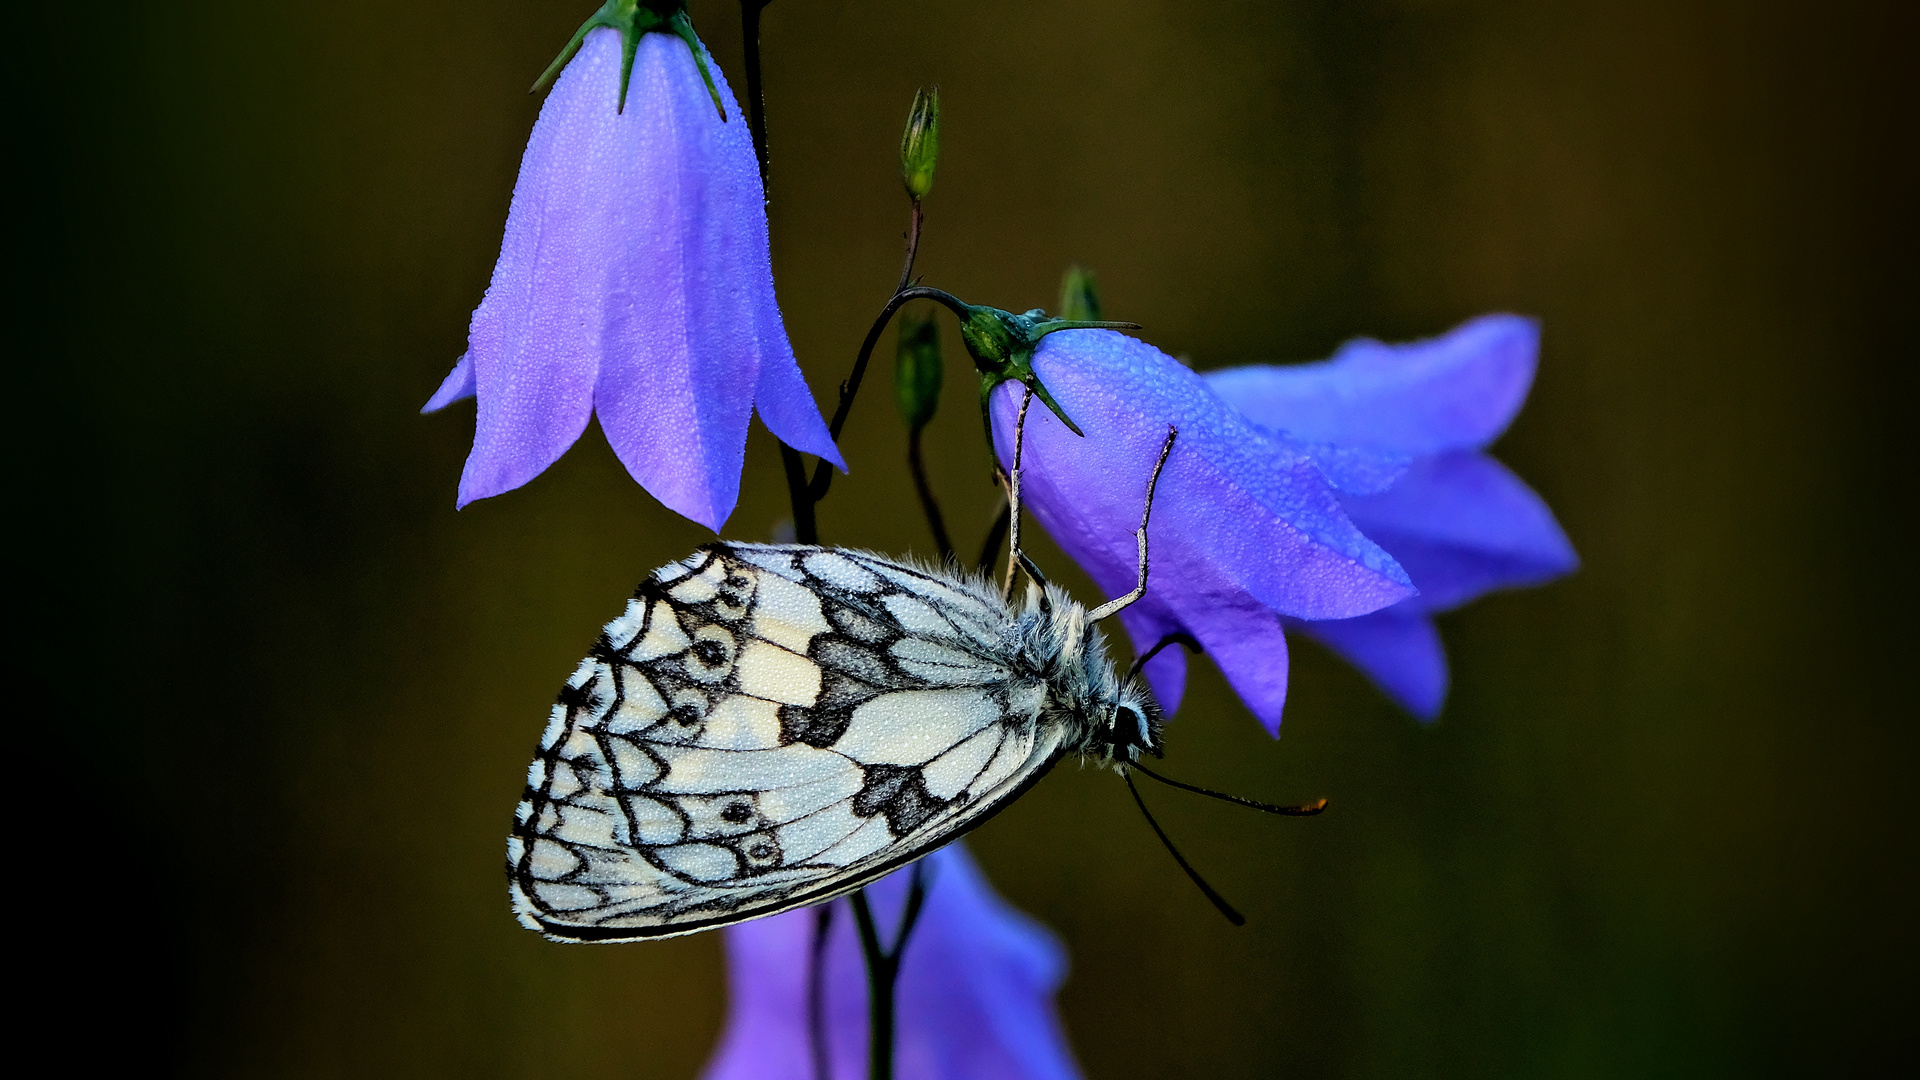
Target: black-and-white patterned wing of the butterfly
(767,727)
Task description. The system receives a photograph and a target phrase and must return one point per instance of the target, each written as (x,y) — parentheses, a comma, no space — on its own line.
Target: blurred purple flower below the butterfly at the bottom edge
(974,994)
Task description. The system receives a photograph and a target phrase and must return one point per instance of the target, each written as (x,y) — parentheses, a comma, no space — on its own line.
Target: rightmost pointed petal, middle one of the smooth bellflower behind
(1466,526)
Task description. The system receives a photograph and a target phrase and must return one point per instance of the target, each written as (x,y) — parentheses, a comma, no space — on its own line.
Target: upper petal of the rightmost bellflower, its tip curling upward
(1451,393)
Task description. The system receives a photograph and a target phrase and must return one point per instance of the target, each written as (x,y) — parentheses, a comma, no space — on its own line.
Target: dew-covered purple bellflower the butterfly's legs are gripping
(1247,526)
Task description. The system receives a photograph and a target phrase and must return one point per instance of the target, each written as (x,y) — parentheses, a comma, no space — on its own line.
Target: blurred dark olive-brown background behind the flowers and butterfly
(1664,829)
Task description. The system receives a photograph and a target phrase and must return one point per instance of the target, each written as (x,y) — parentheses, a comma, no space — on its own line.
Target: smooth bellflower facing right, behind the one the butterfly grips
(1458,522)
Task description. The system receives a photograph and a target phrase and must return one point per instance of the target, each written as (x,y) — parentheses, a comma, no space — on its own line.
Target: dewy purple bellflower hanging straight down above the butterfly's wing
(635,283)
